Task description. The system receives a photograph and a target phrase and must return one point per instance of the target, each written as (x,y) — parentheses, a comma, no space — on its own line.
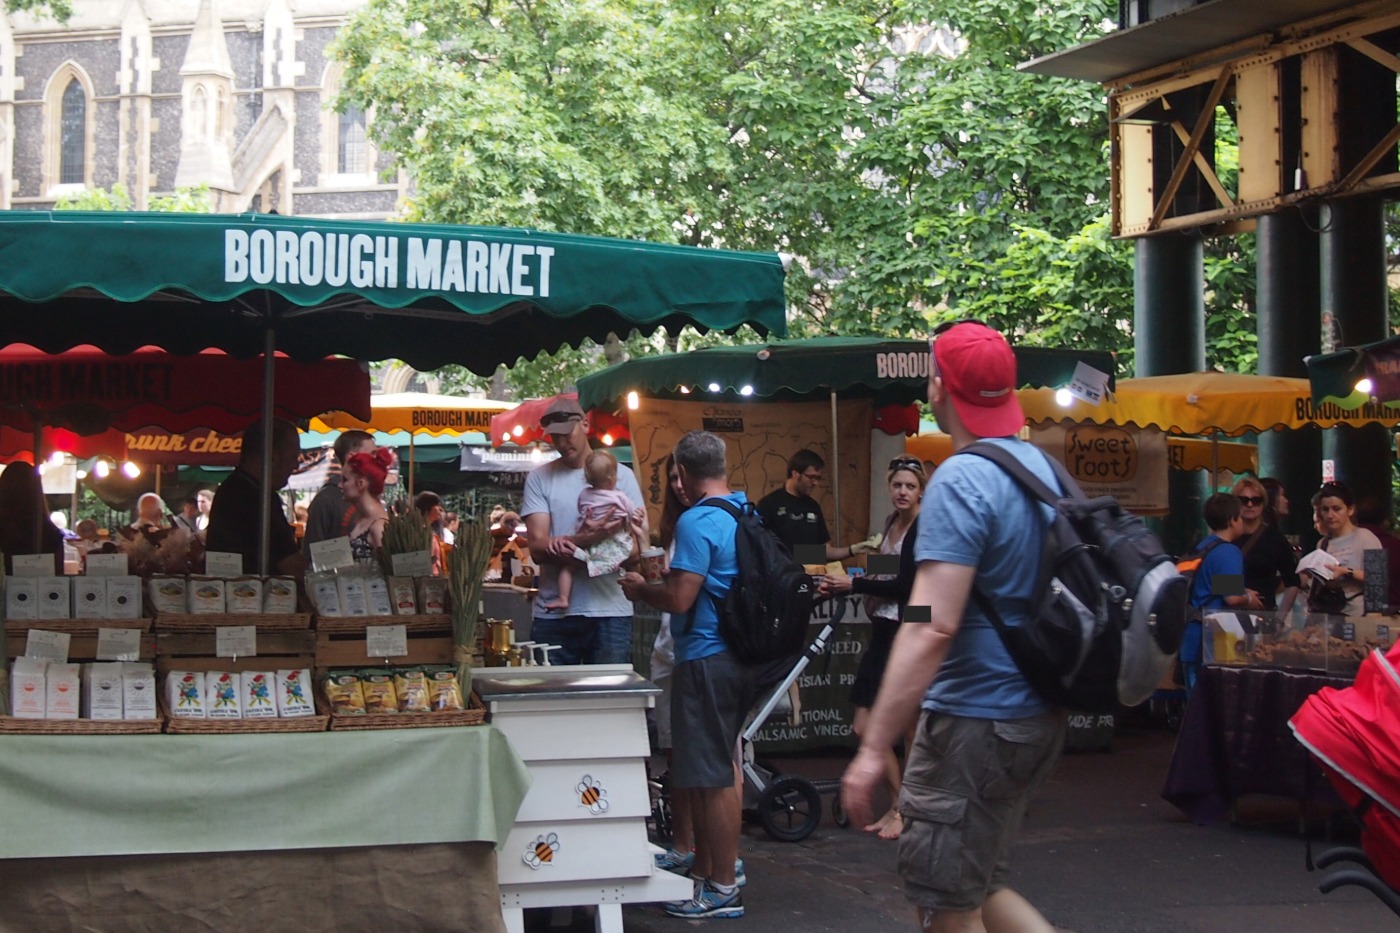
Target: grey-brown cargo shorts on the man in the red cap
(967,785)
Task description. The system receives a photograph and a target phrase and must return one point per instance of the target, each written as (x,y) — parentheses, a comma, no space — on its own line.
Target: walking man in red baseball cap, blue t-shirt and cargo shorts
(986,740)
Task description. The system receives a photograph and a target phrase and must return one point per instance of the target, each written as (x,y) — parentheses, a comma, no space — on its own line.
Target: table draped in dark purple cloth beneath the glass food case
(1235,742)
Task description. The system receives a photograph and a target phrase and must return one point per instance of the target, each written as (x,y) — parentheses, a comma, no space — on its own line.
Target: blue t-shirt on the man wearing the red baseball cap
(976,516)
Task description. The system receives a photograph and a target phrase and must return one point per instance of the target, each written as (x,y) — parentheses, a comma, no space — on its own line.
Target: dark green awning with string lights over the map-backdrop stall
(891,372)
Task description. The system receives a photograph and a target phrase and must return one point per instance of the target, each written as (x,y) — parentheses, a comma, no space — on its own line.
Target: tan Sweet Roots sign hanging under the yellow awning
(1126,463)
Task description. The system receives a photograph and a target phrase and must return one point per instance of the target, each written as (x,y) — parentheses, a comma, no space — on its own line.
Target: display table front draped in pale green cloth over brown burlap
(293,829)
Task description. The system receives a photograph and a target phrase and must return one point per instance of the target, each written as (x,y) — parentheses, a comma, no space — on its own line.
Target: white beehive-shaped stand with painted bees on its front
(582,833)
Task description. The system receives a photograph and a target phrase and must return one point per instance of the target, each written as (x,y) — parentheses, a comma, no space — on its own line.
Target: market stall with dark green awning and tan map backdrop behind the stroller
(852,400)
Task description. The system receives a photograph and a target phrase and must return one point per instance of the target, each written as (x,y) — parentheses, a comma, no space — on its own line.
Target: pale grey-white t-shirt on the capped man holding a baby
(554,488)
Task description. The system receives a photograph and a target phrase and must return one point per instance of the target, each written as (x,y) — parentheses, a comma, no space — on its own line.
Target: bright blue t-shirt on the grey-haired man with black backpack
(705,546)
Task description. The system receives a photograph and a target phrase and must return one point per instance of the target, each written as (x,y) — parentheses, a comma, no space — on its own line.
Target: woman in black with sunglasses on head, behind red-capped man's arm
(885,599)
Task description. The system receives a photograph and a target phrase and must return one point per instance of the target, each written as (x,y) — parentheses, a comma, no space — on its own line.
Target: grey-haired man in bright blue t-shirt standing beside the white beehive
(712,691)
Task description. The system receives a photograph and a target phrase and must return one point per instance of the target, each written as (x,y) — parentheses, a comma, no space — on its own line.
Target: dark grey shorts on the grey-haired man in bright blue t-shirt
(709,701)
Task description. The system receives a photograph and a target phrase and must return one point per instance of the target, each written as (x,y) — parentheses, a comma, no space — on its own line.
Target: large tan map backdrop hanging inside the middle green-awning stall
(762,436)
